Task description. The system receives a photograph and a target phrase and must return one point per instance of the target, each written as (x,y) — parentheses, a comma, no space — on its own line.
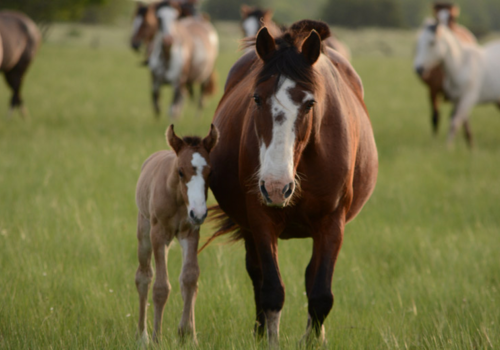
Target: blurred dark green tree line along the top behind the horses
(480,16)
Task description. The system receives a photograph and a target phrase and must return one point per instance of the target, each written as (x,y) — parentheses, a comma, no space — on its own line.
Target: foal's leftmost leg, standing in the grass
(144,273)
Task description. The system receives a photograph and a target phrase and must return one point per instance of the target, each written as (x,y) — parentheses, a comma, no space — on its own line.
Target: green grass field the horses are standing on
(419,269)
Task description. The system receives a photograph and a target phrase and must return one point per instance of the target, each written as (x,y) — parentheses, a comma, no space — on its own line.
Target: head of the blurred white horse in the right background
(431,45)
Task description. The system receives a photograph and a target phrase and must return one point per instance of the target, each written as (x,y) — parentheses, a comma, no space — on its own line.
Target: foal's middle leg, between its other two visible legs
(161,288)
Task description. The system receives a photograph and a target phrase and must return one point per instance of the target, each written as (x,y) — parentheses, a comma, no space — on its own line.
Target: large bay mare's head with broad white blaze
(284,96)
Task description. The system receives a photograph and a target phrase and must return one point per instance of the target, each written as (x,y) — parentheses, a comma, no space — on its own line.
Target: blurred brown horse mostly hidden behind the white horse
(435,77)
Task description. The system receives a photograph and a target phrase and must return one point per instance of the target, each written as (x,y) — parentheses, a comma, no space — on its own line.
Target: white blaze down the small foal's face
(196,188)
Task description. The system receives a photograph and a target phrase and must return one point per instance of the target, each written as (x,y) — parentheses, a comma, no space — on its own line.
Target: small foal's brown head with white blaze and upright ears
(193,170)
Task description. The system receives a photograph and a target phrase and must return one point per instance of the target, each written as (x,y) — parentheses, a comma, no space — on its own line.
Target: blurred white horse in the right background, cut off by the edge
(472,72)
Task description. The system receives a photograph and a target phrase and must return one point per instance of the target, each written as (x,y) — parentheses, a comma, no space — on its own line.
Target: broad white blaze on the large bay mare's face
(276,160)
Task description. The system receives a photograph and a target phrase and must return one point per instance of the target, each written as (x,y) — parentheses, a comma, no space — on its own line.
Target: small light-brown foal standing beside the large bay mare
(171,198)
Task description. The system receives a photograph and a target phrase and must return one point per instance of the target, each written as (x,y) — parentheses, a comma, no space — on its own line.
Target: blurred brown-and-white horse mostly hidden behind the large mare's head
(254,18)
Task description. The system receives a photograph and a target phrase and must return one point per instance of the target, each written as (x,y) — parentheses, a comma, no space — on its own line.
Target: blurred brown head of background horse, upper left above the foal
(144,26)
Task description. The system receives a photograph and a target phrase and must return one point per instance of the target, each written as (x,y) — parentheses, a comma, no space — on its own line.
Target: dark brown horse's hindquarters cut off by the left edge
(19,42)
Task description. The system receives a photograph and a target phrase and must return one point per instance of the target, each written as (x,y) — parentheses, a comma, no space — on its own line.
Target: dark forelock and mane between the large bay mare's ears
(287,60)
